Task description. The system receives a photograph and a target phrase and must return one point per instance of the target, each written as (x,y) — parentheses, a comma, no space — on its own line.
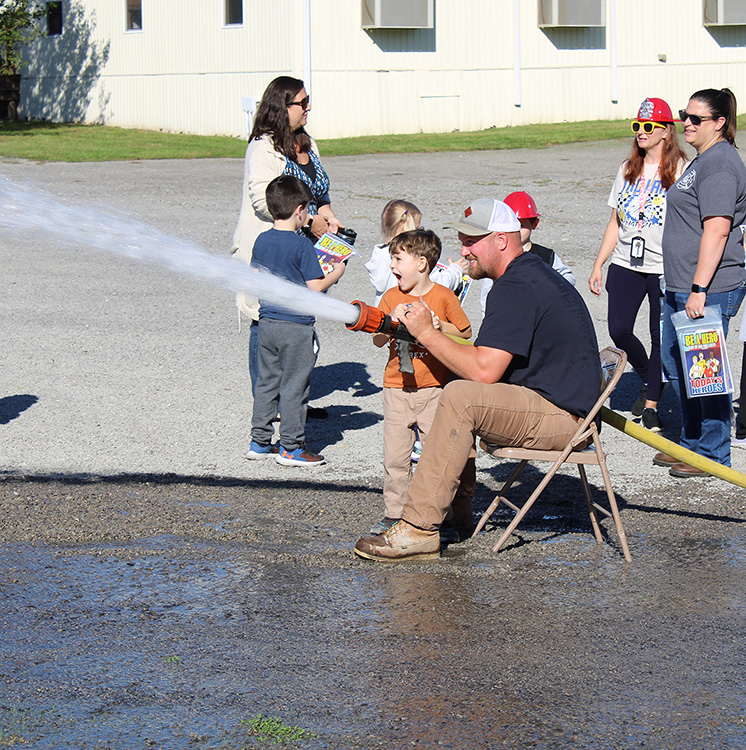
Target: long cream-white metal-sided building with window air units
(379,66)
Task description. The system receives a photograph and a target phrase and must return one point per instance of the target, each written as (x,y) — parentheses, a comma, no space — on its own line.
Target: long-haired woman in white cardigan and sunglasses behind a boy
(278,145)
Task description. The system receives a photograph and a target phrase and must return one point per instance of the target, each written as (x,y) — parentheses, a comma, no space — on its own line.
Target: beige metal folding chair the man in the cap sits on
(612,366)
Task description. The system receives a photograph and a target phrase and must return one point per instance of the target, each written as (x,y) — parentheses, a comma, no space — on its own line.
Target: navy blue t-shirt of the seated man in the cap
(534,314)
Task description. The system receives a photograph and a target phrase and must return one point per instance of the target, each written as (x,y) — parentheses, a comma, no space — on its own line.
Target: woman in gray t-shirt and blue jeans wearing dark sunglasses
(703,256)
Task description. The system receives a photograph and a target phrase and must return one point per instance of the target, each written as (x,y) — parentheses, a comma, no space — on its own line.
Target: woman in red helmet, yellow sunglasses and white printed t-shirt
(632,241)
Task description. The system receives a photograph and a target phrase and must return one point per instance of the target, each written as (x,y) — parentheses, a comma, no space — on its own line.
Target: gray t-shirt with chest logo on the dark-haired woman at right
(714,184)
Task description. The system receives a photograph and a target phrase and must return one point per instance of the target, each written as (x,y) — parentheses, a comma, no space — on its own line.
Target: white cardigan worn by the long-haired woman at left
(261,165)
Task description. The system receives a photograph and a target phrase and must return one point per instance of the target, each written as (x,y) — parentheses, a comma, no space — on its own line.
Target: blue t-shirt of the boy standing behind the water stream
(289,256)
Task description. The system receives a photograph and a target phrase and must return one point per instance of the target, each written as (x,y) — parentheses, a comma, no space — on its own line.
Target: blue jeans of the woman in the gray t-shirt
(705,420)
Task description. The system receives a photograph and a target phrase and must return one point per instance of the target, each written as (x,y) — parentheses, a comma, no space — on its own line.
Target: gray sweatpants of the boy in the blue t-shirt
(287,356)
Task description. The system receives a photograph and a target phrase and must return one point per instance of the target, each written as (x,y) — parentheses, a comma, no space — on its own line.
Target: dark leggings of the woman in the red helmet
(627,289)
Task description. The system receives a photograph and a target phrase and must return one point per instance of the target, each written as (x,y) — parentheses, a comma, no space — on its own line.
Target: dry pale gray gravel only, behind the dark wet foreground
(112,367)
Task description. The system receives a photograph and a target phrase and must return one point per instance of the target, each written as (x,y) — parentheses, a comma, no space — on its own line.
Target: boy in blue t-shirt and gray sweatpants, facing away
(287,351)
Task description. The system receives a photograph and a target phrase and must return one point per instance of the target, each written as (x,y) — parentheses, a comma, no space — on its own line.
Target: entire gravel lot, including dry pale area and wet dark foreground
(158,588)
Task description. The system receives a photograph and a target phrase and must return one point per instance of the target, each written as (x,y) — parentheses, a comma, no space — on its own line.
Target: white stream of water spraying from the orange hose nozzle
(26,212)
